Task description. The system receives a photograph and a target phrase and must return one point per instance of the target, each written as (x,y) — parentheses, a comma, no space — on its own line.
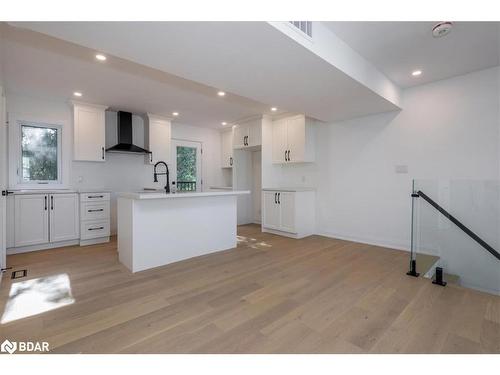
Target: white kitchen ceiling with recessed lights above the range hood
(47,67)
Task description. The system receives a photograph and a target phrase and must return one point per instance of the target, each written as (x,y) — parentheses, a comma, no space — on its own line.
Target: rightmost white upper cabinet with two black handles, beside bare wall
(293,140)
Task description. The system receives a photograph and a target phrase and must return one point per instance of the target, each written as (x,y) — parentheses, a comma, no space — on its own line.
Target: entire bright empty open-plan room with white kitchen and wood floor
(292,187)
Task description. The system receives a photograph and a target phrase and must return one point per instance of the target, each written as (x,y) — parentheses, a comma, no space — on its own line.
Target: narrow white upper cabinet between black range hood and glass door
(158,134)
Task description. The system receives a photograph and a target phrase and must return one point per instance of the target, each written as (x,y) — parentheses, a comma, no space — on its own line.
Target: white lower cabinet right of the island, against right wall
(289,213)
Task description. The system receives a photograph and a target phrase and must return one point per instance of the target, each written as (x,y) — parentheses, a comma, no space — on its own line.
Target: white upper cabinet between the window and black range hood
(89,132)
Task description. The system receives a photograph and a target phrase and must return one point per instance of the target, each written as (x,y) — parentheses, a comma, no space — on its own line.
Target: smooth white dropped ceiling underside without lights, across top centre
(251,59)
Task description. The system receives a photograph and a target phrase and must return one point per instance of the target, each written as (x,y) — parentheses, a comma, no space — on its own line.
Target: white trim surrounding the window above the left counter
(39,183)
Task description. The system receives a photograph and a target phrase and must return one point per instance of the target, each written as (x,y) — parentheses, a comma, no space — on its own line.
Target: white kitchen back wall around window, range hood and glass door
(120,172)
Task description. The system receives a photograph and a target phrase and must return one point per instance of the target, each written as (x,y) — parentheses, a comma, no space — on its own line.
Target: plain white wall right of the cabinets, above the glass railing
(447,130)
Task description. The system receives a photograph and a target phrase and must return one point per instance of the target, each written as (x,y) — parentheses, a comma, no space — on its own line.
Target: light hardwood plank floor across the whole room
(269,295)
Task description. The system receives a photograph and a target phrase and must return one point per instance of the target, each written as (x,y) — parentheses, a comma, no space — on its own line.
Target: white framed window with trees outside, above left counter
(40,159)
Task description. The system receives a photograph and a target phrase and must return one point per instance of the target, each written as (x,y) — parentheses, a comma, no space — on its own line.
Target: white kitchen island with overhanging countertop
(155,228)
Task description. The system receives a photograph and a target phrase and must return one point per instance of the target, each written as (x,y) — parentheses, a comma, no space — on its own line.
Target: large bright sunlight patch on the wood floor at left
(32,297)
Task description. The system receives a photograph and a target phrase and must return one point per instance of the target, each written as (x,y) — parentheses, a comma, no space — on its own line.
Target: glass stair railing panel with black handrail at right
(455,233)
